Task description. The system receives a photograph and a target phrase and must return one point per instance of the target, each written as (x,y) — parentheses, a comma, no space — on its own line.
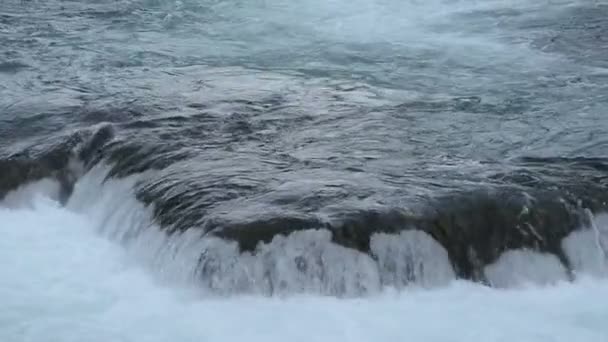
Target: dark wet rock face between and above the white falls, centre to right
(475,228)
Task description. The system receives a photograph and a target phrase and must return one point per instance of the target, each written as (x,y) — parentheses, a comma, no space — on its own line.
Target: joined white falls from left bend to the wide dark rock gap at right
(303,262)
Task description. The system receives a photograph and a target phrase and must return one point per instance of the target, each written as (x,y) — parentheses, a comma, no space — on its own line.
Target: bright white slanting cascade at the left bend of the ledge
(117,215)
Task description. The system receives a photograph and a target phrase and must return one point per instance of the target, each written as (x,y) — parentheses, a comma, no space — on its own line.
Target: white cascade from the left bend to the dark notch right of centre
(301,262)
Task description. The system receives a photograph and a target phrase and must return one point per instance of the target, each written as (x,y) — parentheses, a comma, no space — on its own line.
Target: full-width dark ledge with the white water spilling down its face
(505,235)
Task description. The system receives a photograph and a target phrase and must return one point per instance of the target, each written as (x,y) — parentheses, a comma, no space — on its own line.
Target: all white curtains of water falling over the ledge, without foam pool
(303,262)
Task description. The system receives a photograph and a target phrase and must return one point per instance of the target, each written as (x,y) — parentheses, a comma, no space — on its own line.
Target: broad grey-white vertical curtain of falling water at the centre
(303,262)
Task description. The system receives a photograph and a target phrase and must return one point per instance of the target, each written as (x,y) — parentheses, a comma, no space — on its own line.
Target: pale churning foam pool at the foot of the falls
(63,281)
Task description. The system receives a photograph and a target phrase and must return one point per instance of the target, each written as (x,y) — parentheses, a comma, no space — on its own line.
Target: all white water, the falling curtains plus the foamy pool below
(98,270)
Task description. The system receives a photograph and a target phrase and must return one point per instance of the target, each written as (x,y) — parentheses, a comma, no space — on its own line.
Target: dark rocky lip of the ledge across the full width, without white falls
(533,208)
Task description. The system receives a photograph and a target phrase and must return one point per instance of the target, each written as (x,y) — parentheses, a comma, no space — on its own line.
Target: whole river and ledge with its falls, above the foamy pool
(339,148)
